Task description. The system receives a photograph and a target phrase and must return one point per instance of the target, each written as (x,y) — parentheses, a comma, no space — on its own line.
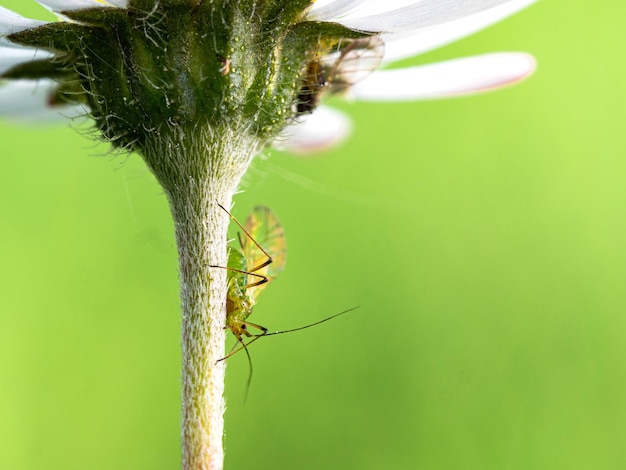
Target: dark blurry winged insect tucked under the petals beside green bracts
(351,61)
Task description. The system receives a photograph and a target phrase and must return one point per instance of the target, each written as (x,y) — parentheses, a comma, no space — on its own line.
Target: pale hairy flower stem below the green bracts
(198,171)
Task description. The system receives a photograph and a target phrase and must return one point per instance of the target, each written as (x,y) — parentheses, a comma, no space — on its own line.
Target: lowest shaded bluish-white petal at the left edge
(27,100)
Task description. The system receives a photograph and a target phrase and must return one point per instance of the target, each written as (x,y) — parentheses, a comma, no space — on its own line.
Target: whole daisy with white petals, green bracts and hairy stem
(199,87)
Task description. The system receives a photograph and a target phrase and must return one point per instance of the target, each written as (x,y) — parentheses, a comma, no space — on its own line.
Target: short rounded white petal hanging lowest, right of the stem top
(323,129)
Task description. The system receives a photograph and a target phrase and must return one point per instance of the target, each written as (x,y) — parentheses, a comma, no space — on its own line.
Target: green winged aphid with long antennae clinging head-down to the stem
(259,258)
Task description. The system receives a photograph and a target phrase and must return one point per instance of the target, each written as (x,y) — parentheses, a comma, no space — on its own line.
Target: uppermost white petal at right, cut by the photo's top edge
(420,15)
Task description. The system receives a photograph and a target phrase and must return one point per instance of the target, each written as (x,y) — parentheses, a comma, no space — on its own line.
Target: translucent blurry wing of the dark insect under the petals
(352,61)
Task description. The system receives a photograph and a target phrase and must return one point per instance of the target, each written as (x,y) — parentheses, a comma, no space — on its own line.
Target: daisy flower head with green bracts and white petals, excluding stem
(136,65)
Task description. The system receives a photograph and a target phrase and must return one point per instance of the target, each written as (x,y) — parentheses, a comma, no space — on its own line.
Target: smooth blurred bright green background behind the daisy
(482,237)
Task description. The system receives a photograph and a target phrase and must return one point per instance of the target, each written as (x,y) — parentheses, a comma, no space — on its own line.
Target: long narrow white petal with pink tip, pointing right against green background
(446,79)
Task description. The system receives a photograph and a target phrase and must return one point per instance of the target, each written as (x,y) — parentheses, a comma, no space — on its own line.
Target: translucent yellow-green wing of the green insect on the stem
(264,228)
